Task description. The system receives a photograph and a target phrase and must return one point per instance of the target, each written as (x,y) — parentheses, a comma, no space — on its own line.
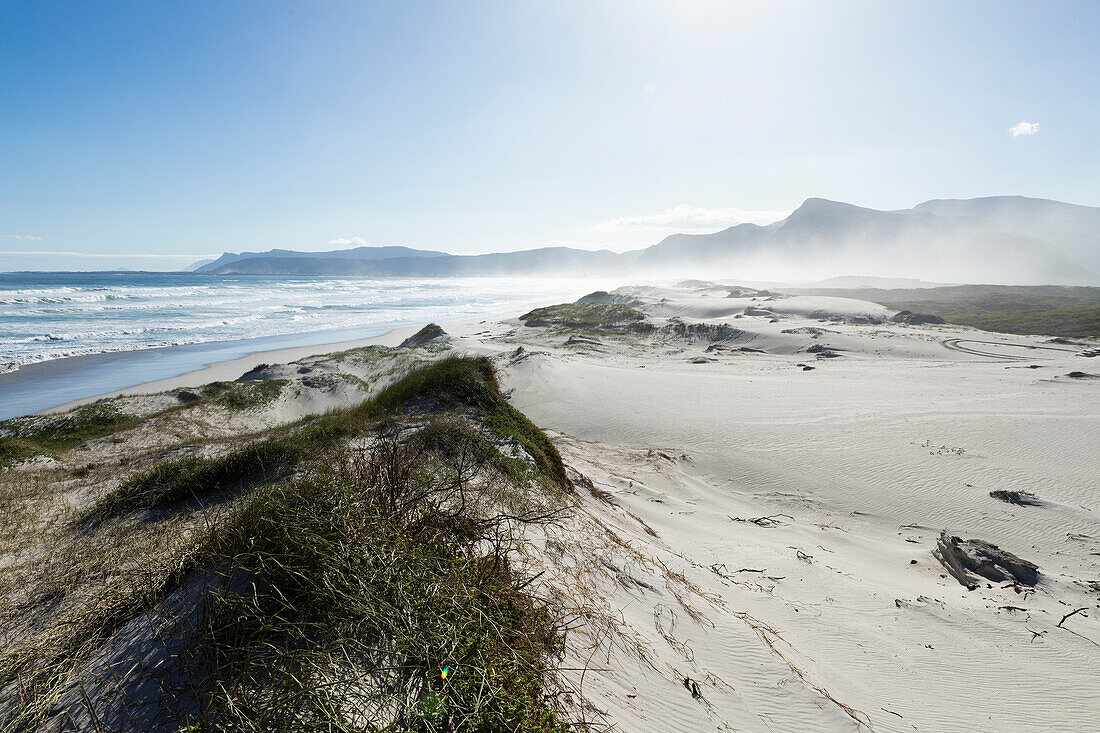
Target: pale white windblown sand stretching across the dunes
(762,485)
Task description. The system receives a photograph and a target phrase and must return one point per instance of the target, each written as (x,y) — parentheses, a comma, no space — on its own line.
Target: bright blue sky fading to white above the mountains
(152,135)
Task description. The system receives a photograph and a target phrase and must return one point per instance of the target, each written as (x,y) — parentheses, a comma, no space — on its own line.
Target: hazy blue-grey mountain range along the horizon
(1003,239)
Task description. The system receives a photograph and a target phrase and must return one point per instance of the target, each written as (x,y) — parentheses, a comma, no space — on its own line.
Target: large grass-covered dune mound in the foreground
(331,597)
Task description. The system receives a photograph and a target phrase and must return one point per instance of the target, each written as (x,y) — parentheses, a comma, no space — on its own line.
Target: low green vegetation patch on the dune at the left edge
(35,435)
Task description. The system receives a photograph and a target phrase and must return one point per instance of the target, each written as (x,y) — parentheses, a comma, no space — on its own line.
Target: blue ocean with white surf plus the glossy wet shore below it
(162,325)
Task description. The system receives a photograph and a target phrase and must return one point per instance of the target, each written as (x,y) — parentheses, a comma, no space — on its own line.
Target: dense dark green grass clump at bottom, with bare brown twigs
(358,615)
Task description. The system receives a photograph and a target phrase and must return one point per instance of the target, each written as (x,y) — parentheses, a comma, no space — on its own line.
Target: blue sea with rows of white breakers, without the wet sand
(52,316)
